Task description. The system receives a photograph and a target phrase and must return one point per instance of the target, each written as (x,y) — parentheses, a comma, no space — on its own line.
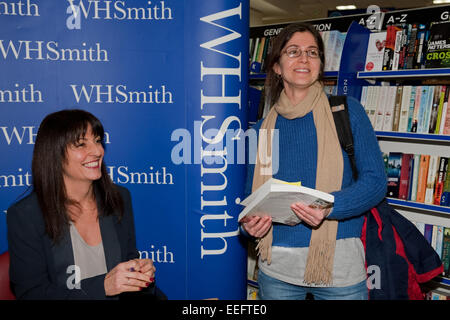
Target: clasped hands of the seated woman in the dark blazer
(130,276)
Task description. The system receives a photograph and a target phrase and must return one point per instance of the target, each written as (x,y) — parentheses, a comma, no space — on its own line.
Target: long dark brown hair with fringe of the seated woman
(57,131)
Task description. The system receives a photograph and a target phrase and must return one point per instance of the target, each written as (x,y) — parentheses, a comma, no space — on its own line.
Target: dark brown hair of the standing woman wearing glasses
(274,83)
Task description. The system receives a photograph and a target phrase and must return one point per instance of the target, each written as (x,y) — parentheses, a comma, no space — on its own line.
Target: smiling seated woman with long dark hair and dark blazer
(73,236)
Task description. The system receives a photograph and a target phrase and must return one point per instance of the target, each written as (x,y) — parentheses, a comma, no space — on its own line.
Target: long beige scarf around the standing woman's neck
(319,264)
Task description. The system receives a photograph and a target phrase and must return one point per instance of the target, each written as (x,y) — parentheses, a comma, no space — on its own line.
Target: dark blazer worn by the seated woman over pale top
(39,268)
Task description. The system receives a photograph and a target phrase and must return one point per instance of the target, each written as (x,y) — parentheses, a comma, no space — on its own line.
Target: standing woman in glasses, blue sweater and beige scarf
(323,255)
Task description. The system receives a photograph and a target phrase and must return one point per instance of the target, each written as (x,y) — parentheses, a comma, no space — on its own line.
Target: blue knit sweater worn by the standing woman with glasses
(298,162)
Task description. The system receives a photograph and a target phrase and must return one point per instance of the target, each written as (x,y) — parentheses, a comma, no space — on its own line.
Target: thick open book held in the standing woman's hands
(274,198)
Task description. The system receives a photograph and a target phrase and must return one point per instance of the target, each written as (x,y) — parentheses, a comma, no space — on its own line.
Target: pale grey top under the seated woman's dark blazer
(90,259)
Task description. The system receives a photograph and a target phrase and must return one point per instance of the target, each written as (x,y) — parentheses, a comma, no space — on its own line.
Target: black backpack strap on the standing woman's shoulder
(339,108)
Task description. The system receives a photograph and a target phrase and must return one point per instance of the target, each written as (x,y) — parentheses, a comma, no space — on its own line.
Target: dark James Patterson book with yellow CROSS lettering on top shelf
(438,46)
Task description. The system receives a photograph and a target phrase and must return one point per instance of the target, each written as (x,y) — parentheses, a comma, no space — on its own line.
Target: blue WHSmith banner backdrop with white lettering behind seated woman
(168,81)
